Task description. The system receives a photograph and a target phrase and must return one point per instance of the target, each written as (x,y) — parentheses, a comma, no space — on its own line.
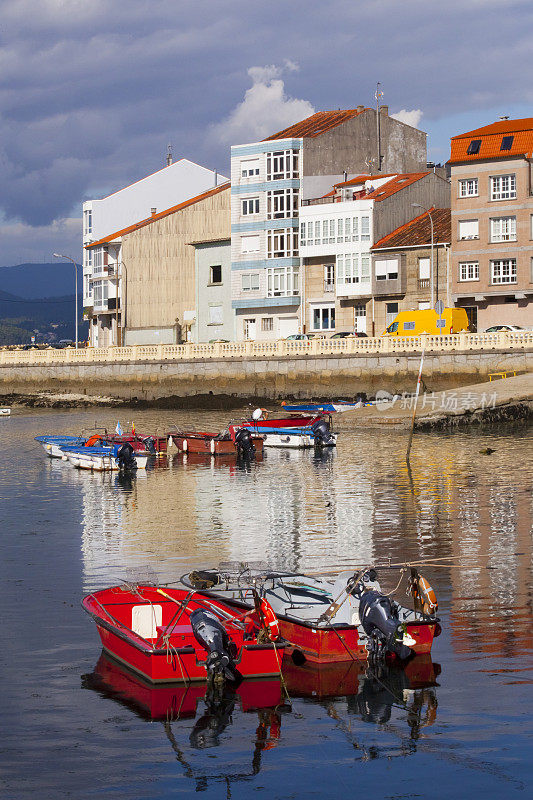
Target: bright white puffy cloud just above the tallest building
(265,109)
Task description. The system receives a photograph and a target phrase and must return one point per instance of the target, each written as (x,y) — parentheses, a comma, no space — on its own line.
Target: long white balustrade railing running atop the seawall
(460,342)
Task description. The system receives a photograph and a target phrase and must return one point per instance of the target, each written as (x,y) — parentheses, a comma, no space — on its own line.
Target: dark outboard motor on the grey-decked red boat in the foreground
(379,617)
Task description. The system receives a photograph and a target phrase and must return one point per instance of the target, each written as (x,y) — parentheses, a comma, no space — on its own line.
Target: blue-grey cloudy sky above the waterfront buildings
(91,93)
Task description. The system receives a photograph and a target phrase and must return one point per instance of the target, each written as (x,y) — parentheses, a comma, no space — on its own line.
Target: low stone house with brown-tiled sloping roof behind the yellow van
(411,266)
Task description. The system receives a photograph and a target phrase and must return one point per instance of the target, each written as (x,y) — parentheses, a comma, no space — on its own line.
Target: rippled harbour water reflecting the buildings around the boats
(64,533)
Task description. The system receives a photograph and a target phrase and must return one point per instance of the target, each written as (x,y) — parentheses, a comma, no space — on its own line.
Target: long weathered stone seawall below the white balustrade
(275,377)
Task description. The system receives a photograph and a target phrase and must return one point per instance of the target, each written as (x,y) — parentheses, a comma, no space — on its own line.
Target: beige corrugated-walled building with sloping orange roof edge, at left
(157,267)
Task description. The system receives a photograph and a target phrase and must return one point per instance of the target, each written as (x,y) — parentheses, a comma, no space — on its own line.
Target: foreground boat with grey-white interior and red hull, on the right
(327,621)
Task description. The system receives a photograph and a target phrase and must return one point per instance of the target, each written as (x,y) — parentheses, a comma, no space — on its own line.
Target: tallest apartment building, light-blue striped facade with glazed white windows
(271,179)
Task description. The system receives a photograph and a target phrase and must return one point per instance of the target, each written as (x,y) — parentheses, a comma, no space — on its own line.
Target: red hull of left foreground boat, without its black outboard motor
(172,653)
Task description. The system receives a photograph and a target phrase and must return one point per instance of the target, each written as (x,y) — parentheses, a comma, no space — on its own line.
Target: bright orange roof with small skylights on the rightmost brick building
(490,137)
